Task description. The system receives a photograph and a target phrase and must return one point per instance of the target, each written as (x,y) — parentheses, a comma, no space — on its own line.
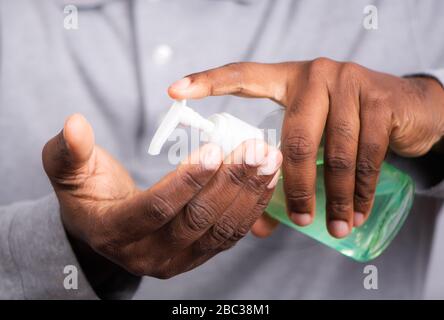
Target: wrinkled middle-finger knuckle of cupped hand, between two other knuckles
(199,215)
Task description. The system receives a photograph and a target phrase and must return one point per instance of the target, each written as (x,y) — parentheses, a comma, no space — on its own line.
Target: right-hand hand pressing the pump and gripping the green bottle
(361,113)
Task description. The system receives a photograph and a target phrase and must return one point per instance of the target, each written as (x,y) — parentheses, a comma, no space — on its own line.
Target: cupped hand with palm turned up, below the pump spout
(202,208)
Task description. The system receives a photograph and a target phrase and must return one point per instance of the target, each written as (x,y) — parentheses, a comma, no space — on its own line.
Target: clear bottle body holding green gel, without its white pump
(393,200)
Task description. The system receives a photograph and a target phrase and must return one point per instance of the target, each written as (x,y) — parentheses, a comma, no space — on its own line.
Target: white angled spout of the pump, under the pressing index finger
(179,113)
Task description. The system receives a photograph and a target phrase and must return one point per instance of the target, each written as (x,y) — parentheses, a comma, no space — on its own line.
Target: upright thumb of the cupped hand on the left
(69,152)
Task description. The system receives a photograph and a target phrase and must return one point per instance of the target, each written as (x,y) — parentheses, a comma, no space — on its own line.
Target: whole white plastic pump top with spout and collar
(222,129)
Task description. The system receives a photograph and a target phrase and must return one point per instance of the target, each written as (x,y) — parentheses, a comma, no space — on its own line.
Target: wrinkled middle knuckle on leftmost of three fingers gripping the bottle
(298,147)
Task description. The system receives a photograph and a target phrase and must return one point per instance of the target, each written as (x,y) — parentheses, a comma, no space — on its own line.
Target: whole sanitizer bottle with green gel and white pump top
(393,197)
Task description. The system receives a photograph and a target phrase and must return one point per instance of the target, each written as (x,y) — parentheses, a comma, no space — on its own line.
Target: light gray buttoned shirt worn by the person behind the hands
(115,70)
